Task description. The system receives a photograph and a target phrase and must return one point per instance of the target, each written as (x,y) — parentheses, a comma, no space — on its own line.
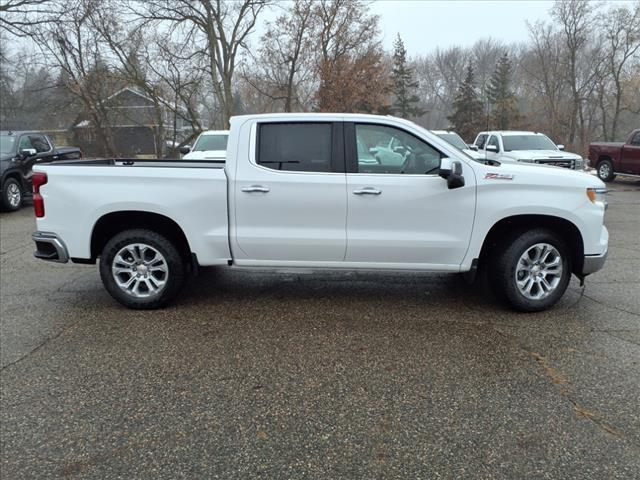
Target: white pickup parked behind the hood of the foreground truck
(526,147)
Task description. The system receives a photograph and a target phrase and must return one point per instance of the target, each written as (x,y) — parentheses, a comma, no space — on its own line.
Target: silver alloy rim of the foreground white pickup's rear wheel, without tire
(140,270)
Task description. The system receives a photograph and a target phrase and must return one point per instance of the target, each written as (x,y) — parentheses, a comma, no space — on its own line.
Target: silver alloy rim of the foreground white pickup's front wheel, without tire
(539,271)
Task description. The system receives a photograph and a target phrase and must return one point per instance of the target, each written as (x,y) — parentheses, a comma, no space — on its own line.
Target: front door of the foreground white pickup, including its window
(401,213)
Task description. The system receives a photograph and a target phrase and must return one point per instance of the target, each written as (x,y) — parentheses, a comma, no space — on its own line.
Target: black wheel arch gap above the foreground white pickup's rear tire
(113,223)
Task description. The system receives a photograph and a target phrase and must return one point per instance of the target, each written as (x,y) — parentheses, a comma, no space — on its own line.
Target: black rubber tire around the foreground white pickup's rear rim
(173,262)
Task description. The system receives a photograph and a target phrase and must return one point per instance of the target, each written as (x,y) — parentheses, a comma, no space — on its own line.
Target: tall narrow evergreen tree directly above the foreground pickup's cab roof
(404,84)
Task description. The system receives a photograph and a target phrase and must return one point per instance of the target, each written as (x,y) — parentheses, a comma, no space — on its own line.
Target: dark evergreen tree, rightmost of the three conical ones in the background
(504,112)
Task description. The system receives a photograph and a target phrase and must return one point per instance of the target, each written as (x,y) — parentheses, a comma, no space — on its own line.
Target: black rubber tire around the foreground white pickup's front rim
(504,262)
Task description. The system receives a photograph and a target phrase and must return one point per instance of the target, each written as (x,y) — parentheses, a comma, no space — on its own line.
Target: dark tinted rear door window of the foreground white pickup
(298,147)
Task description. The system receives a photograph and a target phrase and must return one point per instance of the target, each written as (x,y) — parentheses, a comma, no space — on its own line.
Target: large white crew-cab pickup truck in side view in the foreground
(303,190)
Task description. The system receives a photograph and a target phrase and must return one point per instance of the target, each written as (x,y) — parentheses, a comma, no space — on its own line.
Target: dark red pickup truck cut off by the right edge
(616,157)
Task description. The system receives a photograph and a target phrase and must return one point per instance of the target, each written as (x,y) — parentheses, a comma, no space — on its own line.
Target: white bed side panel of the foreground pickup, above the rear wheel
(193,194)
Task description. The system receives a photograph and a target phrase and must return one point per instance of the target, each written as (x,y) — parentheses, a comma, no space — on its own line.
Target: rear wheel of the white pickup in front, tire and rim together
(142,269)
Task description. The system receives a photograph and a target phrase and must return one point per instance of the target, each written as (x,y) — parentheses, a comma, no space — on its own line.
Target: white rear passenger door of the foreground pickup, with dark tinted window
(290,194)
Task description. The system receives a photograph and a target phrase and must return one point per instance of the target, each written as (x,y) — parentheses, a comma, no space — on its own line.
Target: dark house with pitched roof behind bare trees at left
(133,119)
